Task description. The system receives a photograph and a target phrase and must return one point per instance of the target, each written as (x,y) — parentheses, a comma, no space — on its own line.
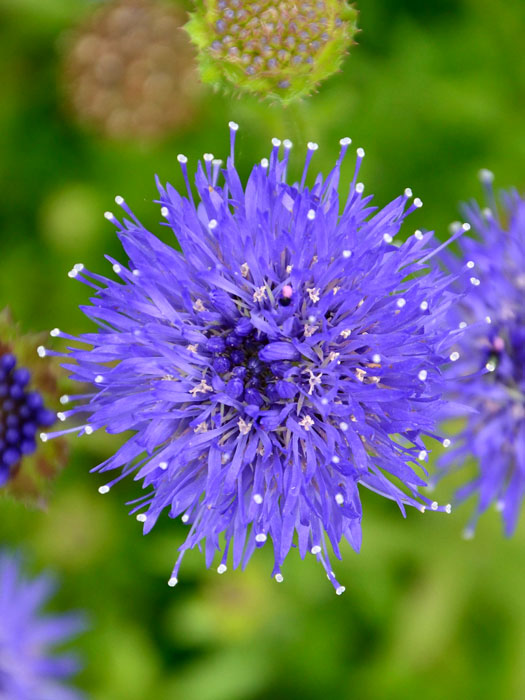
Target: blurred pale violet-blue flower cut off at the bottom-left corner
(30,668)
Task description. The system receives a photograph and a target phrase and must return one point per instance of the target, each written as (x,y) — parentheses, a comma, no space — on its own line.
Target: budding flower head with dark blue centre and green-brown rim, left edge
(27,388)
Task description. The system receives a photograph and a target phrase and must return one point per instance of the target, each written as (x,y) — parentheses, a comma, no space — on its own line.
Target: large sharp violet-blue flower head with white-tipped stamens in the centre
(290,353)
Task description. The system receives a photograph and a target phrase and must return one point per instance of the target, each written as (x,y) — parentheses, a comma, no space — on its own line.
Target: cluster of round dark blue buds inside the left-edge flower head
(22,413)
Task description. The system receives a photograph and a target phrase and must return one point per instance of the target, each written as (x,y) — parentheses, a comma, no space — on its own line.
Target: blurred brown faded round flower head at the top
(129,70)
